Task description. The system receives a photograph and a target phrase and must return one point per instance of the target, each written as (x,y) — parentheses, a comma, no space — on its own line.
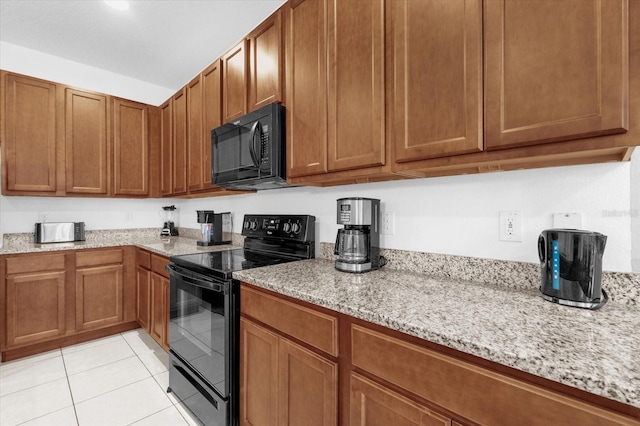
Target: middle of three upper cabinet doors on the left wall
(86,142)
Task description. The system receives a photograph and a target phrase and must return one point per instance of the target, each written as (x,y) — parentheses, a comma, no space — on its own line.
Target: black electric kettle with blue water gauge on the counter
(571,267)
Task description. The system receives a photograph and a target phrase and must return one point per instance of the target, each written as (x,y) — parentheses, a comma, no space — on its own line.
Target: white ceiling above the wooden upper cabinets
(162,42)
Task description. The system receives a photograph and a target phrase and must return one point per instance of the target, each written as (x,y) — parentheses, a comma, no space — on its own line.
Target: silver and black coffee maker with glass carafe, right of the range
(358,243)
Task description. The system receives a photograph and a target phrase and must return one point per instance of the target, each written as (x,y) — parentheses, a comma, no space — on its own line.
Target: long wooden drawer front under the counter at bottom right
(481,395)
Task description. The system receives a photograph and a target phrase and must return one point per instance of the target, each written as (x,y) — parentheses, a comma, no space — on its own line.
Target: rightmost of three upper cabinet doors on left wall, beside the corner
(130,148)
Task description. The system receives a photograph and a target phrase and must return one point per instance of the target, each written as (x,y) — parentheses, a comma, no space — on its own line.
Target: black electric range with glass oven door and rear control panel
(204,312)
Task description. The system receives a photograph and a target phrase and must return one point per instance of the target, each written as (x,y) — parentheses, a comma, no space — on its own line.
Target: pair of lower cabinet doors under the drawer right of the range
(283,383)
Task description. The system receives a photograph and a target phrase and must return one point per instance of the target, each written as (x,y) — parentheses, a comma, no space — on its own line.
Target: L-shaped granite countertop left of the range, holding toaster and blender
(148,239)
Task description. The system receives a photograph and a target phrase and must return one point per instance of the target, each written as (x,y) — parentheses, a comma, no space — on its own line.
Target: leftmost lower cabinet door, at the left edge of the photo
(35,307)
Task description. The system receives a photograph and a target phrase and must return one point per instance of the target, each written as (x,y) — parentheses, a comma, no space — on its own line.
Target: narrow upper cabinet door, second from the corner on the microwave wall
(180,143)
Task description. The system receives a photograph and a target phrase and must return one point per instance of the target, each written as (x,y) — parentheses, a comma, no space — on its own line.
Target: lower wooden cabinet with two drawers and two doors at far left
(61,298)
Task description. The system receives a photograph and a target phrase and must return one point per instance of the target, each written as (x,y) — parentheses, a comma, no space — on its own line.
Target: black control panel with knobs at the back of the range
(295,227)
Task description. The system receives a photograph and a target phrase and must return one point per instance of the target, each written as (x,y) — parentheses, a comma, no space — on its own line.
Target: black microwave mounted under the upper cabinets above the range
(249,153)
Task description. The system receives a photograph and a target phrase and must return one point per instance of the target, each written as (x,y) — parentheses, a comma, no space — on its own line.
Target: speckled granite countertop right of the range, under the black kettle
(596,351)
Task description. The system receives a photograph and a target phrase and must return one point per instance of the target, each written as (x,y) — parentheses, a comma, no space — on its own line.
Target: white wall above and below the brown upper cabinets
(453,215)
